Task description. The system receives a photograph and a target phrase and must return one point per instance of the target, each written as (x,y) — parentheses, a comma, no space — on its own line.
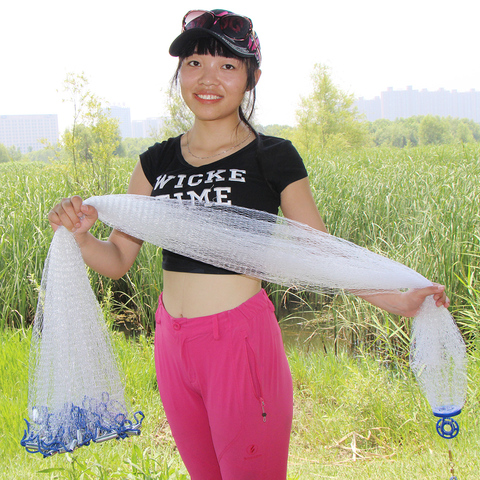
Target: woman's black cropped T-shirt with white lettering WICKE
(252,177)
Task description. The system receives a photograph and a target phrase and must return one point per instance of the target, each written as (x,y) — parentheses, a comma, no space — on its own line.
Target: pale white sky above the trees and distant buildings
(122,47)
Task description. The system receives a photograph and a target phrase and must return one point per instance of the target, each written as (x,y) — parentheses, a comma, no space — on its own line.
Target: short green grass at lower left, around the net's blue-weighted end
(154,451)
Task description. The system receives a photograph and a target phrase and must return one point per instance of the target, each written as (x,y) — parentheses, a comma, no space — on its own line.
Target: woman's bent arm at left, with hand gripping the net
(113,257)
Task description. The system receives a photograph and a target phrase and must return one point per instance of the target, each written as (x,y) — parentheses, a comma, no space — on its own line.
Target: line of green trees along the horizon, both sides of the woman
(327,119)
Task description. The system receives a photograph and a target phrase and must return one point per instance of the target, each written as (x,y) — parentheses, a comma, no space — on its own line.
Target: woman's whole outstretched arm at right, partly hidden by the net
(297,203)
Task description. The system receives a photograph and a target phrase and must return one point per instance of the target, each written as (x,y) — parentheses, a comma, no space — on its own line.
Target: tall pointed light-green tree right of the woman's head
(327,118)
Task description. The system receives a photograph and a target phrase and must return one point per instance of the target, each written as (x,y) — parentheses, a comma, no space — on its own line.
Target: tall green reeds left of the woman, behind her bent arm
(28,191)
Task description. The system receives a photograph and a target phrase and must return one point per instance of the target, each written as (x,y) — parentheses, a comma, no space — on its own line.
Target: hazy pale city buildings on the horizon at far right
(394,104)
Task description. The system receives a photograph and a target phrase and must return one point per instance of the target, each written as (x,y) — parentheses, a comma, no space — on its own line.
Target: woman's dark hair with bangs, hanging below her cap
(210,45)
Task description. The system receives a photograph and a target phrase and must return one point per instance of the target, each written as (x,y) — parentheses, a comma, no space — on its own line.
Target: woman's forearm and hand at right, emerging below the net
(408,303)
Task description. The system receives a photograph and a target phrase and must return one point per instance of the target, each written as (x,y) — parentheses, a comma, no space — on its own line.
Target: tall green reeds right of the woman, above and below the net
(418,206)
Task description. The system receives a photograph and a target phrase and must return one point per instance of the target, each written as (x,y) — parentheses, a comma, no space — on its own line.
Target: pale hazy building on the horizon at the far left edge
(26,131)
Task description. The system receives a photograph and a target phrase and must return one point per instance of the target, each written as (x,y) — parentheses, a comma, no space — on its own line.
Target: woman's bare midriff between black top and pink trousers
(193,295)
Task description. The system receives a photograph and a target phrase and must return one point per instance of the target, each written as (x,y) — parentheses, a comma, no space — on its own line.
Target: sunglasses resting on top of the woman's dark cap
(235,27)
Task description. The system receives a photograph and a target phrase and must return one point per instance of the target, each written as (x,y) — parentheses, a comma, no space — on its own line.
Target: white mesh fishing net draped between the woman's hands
(72,361)
